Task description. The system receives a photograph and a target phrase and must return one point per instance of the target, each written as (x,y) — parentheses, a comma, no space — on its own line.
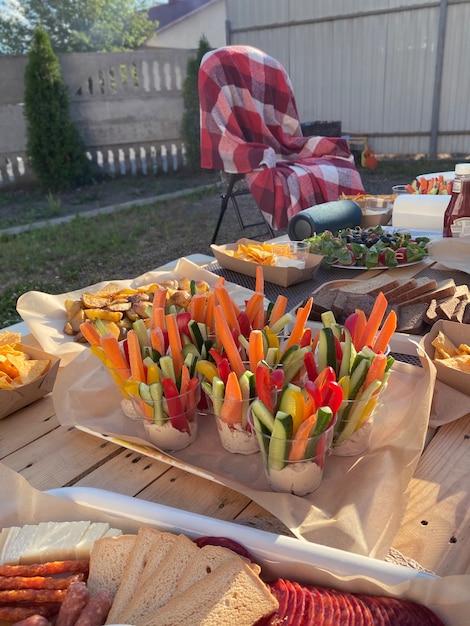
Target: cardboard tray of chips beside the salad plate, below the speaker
(283,276)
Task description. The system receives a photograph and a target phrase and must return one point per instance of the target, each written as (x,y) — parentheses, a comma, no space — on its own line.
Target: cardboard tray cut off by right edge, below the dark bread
(457,333)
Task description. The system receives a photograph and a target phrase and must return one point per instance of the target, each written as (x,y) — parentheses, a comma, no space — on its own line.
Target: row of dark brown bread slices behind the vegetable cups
(418,302)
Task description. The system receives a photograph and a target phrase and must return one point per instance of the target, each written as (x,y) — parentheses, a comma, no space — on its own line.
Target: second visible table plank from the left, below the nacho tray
(61,458)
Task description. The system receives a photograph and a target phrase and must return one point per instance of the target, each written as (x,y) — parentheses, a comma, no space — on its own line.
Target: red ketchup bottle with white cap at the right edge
(457,215)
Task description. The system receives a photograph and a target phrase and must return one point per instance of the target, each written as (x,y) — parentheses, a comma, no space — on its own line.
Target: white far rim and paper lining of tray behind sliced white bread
(286,557)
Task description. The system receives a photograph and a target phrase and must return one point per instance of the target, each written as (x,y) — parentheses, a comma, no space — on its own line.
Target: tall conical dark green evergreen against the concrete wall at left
(54,147)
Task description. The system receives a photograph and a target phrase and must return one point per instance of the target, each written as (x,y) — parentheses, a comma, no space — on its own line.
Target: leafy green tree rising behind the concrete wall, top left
(76,25)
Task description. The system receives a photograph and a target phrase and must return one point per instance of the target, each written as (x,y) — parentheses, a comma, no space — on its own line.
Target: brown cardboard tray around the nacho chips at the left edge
(12,400)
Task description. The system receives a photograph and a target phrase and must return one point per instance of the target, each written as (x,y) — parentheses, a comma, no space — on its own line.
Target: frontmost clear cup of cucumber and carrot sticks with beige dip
(293,463)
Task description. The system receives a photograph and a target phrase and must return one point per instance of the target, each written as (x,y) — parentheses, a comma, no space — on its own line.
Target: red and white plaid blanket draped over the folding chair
(250,125)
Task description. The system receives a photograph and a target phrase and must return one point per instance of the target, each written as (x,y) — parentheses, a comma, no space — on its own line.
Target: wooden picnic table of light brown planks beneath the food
(435,530)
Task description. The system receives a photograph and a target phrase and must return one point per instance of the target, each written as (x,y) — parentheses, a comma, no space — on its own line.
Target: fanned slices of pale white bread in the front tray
(160,578)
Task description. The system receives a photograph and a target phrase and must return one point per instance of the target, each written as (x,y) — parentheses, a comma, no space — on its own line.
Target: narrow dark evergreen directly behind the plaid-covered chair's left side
(190,127)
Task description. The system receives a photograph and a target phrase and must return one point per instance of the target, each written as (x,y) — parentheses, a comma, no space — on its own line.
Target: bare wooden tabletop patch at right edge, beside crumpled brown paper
(436,525)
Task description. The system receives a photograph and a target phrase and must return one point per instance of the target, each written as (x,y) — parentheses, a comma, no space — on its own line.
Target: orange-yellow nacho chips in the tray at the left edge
(16,367)
